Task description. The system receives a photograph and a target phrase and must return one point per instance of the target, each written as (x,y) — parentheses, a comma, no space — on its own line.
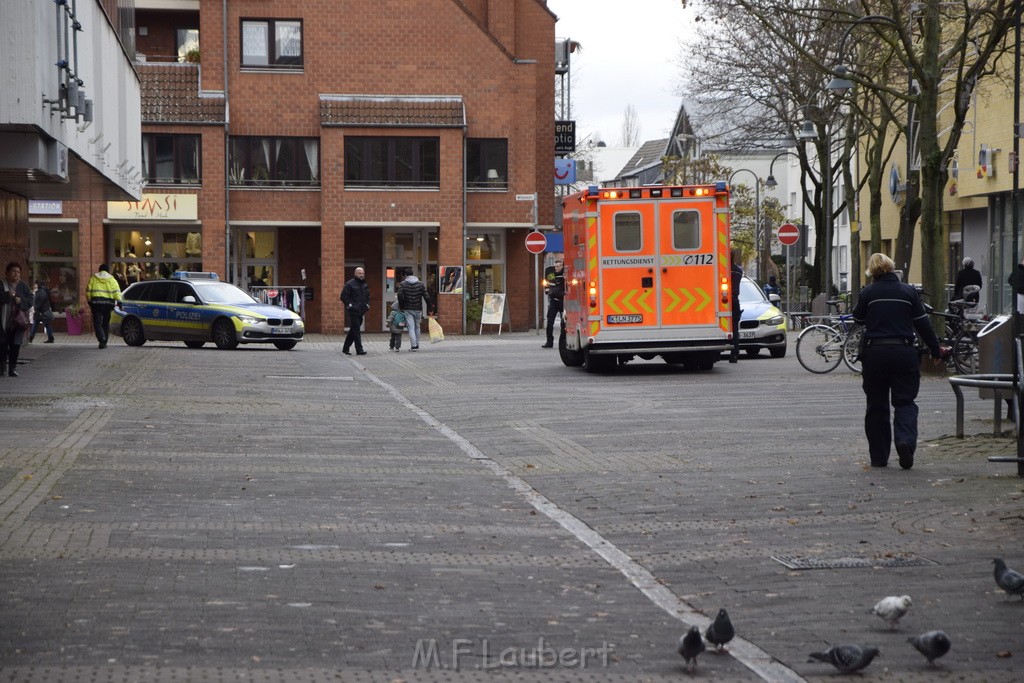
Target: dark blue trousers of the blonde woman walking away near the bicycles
(890,372)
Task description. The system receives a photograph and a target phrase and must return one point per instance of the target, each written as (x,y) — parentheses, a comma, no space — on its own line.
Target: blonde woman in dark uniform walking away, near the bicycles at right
(891,312)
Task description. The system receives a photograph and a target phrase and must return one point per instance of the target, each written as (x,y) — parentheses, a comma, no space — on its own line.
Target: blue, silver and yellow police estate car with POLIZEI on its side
(196,309)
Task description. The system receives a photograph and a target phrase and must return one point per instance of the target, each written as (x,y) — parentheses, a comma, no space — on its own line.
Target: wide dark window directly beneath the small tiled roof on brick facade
(393,162)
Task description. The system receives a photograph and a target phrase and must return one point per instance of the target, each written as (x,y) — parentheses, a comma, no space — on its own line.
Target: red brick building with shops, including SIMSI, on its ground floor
(289,142)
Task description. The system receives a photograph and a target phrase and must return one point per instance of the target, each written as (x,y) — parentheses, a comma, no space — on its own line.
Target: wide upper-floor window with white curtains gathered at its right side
(275,161)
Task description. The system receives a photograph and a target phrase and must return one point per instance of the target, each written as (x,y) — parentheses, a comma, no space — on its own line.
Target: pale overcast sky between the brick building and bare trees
(630,55)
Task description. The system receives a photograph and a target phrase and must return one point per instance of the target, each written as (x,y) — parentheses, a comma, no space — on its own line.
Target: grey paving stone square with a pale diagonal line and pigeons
(169,515)
